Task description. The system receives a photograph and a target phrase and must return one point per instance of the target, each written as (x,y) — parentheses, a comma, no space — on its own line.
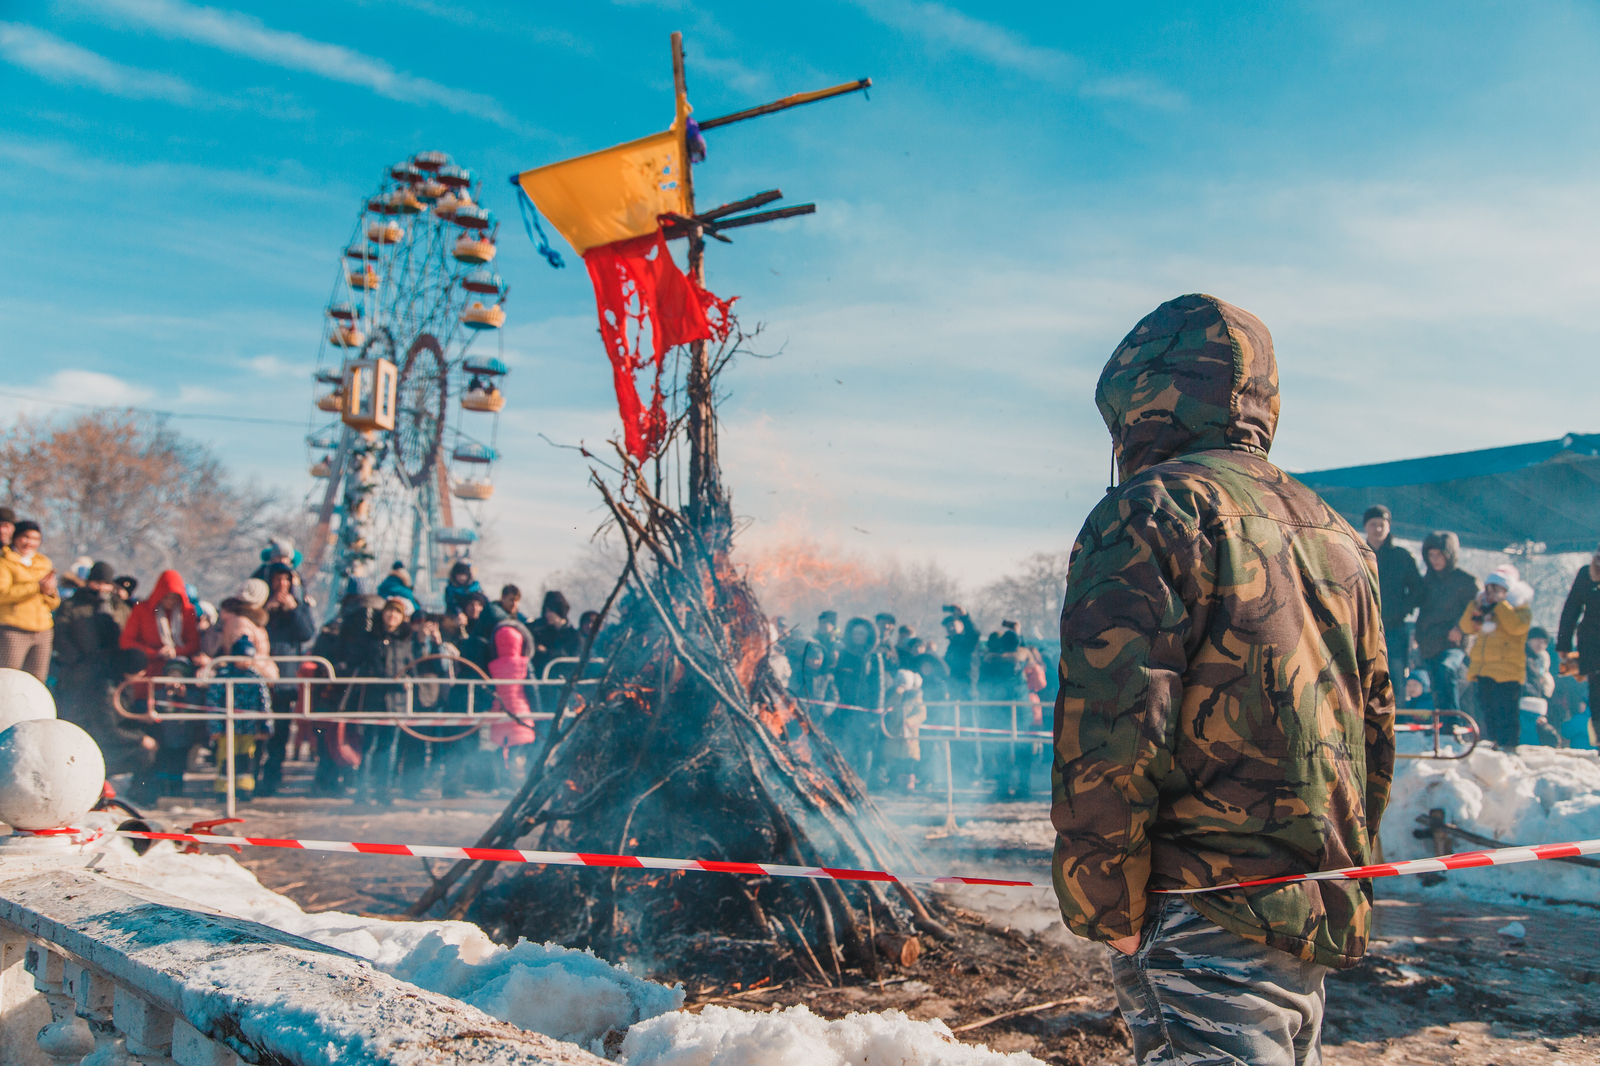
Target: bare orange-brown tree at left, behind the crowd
(127,489)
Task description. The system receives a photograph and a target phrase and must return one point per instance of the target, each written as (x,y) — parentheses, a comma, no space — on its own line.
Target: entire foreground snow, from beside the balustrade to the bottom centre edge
(566,995)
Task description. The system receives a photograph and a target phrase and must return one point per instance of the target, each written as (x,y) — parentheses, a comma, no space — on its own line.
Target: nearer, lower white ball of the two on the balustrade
(50,774)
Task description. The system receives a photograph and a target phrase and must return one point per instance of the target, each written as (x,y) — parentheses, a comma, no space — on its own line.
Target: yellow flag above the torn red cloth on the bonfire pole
(617,193)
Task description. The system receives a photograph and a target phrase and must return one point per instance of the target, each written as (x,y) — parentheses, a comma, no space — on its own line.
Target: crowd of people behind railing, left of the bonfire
(87,630)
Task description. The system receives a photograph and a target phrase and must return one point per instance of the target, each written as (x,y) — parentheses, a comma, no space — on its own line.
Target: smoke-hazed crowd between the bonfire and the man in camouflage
(871,683)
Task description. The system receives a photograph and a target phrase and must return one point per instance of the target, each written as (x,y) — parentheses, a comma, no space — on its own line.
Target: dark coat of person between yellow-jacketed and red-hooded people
(89,668)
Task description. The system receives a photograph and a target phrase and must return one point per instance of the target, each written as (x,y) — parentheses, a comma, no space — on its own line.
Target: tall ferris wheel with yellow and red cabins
(407,470)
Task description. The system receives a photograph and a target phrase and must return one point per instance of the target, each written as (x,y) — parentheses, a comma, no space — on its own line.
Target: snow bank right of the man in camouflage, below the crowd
(1535,796)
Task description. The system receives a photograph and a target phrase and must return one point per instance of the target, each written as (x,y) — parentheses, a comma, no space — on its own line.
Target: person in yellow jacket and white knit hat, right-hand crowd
(1500,619)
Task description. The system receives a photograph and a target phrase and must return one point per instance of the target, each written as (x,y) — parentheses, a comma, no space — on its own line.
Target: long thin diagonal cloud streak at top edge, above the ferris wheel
(247,36)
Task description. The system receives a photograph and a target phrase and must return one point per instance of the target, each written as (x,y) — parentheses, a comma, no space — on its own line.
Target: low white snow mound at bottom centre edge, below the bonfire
(721,1036)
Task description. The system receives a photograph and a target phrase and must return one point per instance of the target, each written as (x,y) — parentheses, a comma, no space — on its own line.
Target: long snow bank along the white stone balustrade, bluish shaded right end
(558,992)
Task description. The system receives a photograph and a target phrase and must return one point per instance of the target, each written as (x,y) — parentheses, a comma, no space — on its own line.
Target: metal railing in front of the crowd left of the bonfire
(170,710)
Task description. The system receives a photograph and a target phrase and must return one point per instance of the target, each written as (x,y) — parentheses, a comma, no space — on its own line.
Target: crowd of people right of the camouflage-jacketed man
(1460,644)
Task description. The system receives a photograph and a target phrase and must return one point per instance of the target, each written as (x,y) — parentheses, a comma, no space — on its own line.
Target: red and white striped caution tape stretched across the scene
(1465,860)
